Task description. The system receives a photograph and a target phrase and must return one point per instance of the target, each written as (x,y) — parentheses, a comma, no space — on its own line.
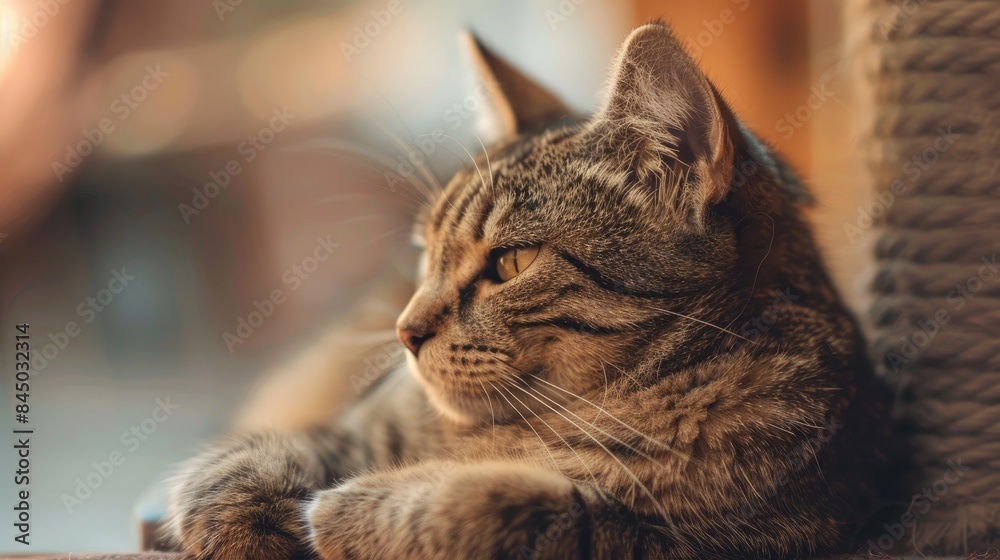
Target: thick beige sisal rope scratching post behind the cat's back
(933,68)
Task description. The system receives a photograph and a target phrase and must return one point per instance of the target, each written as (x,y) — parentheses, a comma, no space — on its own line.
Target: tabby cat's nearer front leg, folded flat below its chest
(442,510)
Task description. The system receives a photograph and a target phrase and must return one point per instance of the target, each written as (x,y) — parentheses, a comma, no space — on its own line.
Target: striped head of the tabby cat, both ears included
(576,249)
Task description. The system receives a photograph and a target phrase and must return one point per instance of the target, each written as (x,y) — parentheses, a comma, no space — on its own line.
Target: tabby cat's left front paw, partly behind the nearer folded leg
(242,500)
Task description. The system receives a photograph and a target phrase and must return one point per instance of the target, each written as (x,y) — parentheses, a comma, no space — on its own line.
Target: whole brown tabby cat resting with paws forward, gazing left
(624,344)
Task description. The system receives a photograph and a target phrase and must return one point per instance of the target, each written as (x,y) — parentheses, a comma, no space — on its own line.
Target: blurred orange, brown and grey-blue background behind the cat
(165,167)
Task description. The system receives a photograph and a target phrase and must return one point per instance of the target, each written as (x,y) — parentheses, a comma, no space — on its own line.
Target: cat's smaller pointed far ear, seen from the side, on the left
(513,102)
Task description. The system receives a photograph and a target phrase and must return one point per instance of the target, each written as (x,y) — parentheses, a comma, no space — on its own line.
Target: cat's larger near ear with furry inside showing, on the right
(667,114)
